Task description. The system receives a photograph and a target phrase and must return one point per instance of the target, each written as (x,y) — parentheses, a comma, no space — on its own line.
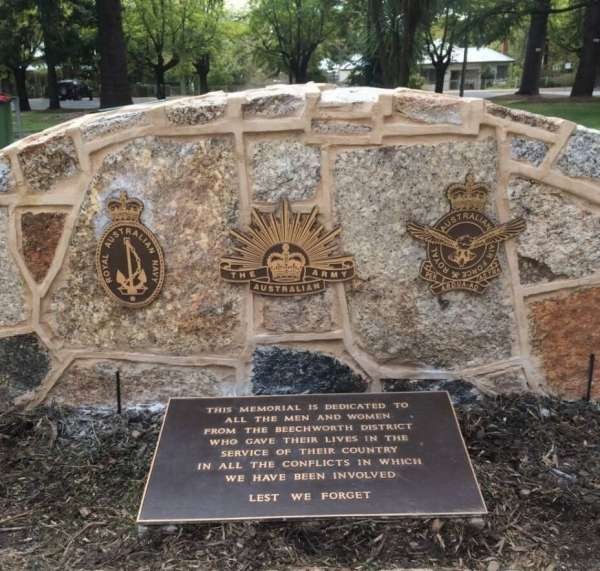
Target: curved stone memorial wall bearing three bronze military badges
(371,164)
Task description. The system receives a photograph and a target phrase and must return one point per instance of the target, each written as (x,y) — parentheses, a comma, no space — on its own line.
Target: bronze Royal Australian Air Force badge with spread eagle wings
(462,246)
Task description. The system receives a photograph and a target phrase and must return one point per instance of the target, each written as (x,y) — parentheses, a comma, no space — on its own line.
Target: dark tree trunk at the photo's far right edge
(589,58)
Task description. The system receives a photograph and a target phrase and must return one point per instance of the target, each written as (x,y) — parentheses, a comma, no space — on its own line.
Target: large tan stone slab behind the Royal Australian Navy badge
(190,194)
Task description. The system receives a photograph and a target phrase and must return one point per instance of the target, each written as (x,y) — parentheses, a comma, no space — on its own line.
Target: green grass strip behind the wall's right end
(585,112)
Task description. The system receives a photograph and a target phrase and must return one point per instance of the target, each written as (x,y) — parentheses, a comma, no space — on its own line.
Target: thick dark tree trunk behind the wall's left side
(114,83)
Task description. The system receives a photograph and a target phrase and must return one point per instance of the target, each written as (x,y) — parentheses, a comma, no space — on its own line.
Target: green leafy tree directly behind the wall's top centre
(288,33)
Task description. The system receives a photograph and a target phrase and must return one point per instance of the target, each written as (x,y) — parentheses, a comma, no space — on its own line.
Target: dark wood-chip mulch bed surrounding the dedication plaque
(70,484)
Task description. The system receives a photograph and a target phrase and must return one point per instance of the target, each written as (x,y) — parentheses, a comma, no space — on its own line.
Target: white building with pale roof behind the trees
(485,67)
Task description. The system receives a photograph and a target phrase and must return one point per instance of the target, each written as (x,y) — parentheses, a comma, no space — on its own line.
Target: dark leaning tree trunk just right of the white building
(536,39)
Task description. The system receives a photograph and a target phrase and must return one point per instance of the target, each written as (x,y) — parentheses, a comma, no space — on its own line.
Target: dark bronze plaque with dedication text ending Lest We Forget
(310,456)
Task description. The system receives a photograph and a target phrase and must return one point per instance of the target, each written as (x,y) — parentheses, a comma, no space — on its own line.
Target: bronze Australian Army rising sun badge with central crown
(286,254)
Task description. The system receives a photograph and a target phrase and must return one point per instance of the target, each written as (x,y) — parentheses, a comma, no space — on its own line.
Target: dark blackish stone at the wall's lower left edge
(24,362)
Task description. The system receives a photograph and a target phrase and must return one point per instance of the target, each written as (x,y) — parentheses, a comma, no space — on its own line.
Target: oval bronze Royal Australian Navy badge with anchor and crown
(129,259)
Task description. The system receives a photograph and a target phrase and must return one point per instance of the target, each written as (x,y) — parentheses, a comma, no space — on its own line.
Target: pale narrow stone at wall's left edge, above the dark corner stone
(13,307)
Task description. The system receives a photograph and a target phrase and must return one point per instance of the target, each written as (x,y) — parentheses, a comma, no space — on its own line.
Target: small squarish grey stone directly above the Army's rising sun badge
(284,168)
